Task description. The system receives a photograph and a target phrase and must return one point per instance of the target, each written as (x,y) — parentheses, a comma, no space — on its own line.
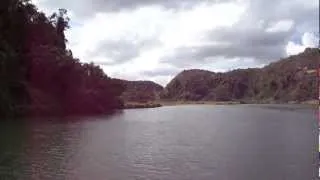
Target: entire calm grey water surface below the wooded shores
(240,142)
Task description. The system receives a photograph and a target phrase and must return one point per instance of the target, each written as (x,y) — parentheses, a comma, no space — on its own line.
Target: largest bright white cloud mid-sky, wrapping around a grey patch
(172,29)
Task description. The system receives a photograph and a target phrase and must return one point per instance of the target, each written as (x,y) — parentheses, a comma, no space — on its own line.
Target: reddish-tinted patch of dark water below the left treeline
(49,149)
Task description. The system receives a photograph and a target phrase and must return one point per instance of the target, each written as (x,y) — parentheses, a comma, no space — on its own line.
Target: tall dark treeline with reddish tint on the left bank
(39,75)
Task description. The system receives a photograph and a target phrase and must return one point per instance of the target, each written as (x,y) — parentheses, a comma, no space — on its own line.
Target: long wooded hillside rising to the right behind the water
(282,81)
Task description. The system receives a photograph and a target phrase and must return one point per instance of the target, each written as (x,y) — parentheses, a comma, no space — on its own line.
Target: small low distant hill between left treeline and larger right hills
(140,91)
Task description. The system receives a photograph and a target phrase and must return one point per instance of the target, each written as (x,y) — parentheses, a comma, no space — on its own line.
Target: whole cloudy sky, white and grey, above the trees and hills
(156,39)
